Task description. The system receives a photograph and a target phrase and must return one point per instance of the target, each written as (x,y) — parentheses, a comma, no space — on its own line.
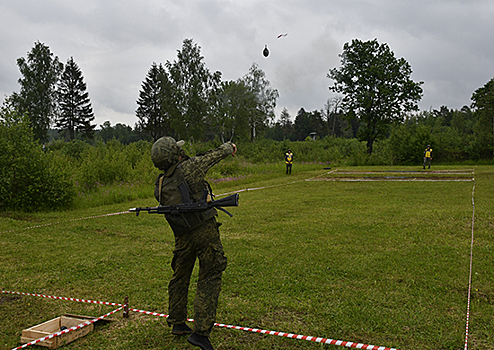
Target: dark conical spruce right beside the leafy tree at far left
(76,113)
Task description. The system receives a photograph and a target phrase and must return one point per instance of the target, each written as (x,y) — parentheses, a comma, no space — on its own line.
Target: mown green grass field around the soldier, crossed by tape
(374,262)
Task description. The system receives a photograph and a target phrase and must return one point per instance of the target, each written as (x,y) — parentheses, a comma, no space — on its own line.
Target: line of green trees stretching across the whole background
(182,98)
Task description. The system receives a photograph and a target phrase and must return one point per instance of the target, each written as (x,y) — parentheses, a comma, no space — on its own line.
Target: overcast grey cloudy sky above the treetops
(448,43)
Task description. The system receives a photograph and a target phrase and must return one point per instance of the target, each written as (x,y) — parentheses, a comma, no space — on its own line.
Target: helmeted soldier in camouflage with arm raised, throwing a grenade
(196,236)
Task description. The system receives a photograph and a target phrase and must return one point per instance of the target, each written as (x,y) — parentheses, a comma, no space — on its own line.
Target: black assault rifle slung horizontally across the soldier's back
(190,207)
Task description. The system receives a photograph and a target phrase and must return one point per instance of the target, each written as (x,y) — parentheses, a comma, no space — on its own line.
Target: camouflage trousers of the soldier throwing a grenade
(204,244)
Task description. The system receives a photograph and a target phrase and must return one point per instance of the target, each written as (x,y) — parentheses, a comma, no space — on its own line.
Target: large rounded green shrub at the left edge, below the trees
(31,179)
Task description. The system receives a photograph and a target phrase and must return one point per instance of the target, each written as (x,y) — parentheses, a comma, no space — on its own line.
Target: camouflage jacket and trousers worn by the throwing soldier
(202,242)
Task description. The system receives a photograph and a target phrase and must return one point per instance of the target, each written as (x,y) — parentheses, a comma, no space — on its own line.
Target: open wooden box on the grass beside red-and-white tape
(54,326)
